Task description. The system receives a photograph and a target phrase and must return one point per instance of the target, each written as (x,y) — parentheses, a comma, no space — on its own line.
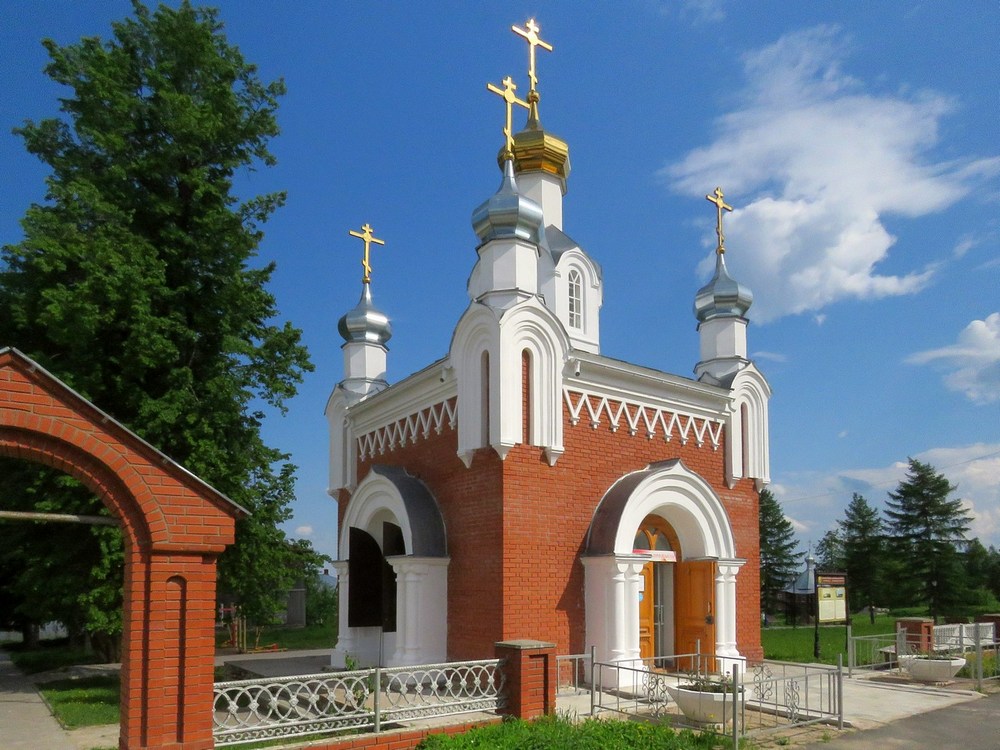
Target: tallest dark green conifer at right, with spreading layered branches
(928,530)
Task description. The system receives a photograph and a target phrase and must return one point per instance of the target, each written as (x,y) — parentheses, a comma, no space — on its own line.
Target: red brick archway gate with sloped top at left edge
(175,526)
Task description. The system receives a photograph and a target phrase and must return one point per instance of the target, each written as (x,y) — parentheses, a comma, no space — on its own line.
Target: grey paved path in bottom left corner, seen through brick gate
(25,720)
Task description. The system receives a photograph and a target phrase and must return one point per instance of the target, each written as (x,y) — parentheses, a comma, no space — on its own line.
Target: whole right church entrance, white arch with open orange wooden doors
(660,568)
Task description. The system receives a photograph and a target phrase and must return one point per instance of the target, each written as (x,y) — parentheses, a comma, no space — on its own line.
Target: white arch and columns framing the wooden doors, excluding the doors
(613,572)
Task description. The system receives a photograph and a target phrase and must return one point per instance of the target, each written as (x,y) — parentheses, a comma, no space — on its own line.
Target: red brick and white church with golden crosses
(527,486)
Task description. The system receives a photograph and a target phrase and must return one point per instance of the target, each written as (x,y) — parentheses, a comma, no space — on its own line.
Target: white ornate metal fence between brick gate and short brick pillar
(367,700)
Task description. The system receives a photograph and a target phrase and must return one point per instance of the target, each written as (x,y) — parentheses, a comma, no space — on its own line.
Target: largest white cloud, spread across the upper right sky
(815,164)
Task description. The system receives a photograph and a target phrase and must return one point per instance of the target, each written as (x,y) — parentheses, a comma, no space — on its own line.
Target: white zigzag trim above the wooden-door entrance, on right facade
(648,418)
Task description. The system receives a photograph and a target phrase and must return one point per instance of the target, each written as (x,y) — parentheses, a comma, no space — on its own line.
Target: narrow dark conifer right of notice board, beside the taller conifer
(864,553)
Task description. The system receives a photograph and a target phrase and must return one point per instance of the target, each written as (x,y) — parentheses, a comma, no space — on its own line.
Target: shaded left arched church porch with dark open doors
(393,573)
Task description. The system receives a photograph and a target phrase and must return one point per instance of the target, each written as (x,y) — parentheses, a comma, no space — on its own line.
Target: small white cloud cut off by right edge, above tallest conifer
(974,360)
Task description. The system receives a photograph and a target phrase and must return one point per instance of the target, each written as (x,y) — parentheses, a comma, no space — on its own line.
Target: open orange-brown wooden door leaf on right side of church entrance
(694,610)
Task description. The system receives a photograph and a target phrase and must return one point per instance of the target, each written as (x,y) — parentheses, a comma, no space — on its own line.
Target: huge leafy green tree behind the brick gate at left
(137,281)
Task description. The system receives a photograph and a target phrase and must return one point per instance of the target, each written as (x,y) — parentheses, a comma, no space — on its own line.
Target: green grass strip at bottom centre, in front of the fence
(552,733)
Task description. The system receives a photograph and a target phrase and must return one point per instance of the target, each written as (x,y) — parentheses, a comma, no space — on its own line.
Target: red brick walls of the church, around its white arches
(535,542)
